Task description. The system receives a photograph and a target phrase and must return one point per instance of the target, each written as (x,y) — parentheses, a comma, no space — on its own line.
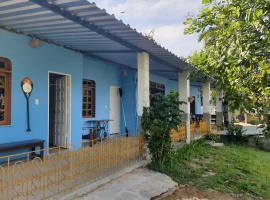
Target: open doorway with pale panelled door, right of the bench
(59,110)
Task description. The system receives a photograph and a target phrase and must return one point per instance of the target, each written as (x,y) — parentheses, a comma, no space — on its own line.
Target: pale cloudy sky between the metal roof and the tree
(165,17)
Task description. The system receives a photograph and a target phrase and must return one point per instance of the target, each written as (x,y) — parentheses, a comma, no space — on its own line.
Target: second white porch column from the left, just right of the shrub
(184,93)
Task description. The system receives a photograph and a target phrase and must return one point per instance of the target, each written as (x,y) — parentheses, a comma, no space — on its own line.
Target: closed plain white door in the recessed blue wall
(114,110)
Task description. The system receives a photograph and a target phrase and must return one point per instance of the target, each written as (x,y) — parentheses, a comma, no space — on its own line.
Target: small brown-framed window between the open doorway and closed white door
(89,99)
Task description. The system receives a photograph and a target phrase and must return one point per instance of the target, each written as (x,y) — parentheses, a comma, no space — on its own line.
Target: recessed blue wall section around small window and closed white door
(106,75)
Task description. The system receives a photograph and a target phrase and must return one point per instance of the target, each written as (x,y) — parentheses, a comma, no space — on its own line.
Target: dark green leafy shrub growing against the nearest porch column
(157,121)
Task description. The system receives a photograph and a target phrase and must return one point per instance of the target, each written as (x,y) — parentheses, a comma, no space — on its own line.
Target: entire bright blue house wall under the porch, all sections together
(37,62)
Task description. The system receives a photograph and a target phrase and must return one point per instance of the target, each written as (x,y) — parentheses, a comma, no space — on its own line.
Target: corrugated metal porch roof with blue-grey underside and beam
(82,26)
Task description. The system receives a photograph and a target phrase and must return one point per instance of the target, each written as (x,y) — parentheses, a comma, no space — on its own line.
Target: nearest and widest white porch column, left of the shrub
(143,84)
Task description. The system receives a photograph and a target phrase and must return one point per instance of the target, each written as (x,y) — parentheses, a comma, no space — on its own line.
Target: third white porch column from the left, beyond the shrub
(206,92)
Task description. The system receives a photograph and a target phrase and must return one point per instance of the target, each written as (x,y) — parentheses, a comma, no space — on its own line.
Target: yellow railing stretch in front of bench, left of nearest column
(66,169)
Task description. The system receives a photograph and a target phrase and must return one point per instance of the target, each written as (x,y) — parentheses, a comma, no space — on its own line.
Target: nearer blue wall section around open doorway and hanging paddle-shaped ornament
(35,63)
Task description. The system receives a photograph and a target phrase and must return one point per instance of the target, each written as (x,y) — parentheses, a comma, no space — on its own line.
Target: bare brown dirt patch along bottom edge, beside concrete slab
(193,193)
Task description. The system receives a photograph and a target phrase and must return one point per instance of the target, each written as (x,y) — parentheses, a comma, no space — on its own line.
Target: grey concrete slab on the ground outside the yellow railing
(139,184)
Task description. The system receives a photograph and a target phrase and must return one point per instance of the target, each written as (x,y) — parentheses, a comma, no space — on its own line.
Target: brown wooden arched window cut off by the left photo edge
(5,91)
